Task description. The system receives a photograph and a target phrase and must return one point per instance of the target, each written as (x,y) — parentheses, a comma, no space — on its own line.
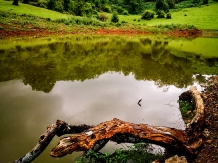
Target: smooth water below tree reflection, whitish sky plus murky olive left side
(26,113)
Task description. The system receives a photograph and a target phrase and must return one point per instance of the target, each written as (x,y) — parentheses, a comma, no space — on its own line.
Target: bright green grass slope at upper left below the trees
(28,9)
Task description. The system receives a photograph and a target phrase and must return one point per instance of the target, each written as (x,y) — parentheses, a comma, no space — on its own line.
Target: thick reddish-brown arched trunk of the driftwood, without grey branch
(167,137)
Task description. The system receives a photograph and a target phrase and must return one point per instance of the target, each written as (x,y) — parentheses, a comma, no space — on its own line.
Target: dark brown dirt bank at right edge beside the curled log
(209,151)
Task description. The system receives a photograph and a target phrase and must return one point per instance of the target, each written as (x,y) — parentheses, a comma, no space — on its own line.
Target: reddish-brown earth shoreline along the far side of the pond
(7,33)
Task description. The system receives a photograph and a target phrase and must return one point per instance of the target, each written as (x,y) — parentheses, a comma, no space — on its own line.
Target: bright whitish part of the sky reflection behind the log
(115,95)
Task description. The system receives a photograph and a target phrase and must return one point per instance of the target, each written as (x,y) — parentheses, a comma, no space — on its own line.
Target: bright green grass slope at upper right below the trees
(204,17)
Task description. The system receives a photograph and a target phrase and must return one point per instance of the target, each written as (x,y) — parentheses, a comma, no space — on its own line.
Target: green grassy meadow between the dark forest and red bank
(201,17)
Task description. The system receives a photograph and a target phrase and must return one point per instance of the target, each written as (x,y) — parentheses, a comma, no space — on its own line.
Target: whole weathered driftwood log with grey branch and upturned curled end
(182,142)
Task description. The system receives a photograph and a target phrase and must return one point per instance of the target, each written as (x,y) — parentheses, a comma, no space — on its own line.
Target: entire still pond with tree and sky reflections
(91,79)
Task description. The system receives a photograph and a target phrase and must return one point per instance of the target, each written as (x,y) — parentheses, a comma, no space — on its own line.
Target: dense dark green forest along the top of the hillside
(124,7)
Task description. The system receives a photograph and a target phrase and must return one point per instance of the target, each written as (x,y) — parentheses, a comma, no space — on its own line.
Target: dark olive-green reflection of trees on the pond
(82,59)
